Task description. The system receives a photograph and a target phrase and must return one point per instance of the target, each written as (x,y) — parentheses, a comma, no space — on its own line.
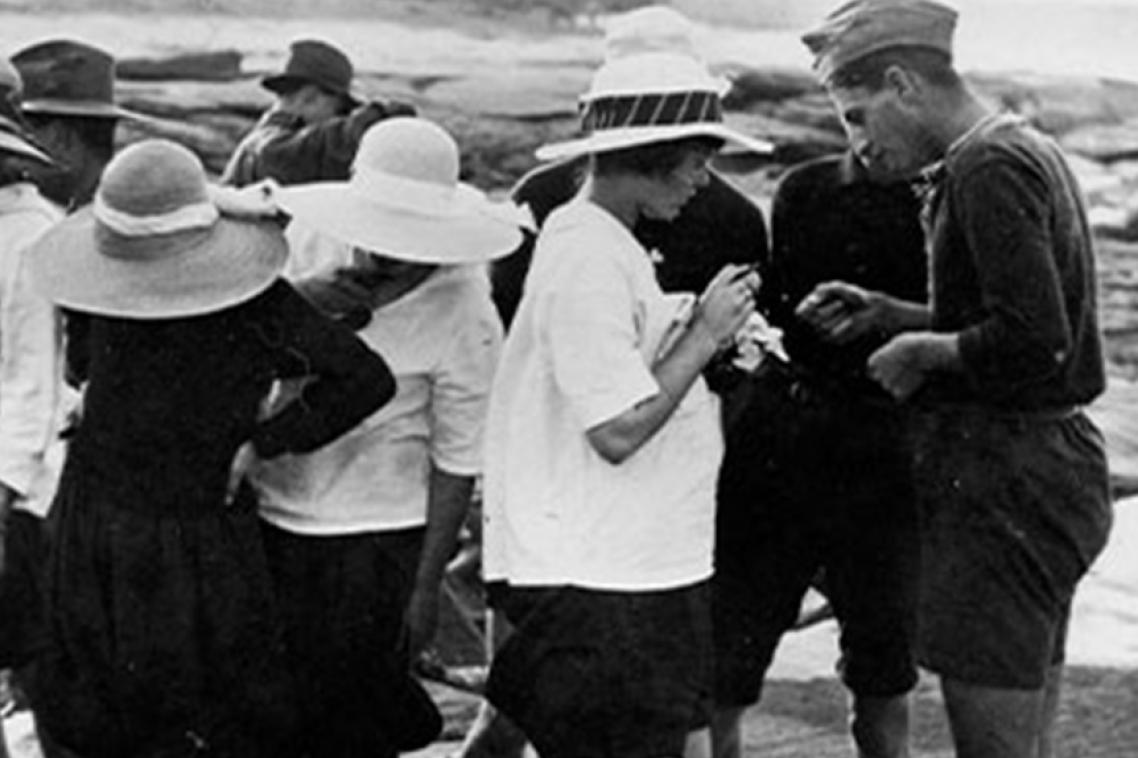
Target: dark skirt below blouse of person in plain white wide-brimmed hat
(343,600)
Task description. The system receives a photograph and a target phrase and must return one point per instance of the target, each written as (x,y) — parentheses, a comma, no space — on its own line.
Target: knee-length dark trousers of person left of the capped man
(815,485)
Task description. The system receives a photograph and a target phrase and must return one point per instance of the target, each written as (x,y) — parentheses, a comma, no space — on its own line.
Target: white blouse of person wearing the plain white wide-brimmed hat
(442,342)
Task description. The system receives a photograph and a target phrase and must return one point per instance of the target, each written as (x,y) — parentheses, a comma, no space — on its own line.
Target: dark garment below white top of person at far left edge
(23,636)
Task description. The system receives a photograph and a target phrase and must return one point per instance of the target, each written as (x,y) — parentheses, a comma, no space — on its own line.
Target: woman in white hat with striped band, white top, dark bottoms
(604,441)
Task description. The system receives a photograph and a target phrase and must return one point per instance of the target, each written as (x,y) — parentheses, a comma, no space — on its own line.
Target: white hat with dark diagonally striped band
(652,88)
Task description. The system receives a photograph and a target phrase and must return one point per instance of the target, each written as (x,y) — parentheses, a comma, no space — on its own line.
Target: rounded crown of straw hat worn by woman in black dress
(153,178)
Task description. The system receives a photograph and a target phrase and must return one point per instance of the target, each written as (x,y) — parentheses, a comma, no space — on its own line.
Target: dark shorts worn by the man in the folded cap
(1015,510)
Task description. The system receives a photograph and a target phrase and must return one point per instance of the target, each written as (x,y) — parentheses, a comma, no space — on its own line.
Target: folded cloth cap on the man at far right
(861,28)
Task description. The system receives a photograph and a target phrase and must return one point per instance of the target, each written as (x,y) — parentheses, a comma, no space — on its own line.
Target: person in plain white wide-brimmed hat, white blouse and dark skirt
(399,251)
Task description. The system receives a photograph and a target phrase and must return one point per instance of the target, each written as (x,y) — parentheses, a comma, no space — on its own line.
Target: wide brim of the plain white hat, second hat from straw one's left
(473,232)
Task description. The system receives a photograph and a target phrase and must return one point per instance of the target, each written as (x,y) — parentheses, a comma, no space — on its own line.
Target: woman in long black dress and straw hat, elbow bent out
(164,636)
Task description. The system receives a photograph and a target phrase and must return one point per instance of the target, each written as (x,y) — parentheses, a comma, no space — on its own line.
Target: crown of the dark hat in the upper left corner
(67,70)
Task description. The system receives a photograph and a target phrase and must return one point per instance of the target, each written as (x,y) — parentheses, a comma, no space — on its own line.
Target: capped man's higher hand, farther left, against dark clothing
(842,312)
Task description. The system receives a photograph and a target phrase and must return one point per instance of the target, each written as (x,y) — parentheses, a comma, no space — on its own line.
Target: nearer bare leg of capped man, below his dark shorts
(994,722)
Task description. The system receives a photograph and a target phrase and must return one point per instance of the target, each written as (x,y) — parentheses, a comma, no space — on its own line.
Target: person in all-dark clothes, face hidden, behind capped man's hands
(818,474)
